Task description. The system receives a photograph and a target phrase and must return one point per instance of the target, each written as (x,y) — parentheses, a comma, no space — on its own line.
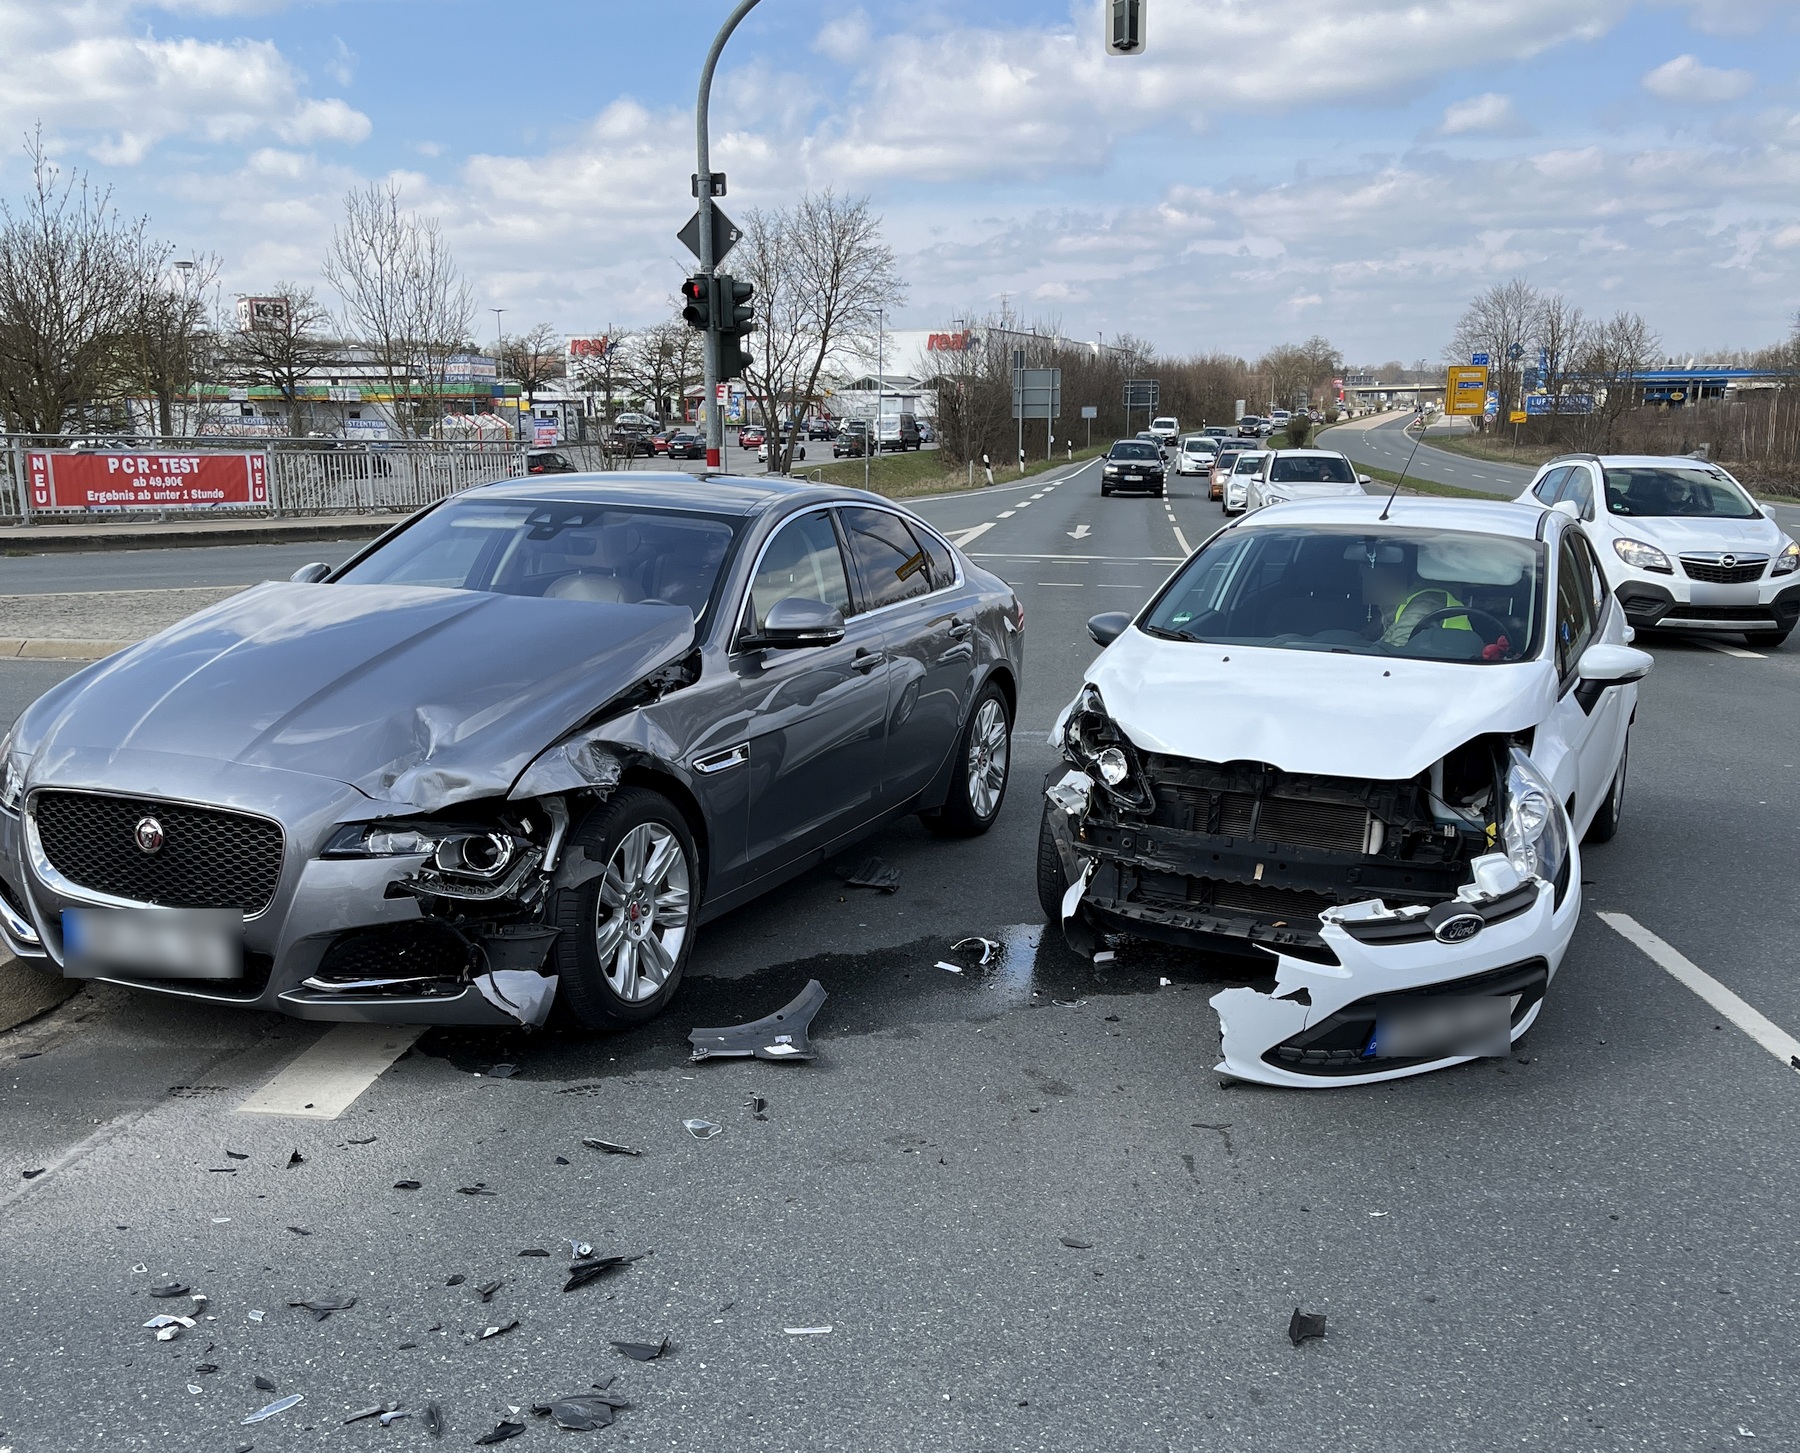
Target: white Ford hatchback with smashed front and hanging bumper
(1360,741)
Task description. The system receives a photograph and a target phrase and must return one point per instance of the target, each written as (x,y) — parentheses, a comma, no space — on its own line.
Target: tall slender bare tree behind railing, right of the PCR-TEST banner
(402,296)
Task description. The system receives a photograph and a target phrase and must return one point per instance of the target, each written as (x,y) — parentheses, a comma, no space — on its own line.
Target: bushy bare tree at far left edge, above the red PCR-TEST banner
(69,282)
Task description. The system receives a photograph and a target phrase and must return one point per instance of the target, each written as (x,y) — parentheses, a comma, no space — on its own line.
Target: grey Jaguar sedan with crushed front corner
(514,752)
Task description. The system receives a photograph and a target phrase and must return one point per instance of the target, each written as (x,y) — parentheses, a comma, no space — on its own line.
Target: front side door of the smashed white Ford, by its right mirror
(1578,746)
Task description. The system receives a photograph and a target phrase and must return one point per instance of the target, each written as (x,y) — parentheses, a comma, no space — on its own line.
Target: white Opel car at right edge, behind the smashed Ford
(1682,545)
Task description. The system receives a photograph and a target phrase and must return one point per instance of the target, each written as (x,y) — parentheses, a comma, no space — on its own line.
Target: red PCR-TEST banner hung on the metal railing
(62,480)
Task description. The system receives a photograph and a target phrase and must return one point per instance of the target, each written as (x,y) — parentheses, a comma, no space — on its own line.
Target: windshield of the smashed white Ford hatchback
(1410,593)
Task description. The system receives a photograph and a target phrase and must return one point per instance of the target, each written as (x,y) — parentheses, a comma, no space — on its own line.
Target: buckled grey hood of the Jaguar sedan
(413,696)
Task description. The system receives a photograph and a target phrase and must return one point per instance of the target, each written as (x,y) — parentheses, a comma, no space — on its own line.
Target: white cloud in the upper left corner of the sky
(98,80)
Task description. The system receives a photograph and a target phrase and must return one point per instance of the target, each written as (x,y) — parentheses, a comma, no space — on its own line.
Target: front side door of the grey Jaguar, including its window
(816,716)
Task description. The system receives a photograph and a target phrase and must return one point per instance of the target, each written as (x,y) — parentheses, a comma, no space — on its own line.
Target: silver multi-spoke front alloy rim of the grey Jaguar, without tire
(643,912)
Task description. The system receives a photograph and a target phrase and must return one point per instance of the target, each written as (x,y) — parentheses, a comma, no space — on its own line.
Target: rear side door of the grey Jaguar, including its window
(910,581)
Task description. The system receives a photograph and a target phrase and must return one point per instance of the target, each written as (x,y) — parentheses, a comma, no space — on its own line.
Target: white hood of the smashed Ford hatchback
(1311,712)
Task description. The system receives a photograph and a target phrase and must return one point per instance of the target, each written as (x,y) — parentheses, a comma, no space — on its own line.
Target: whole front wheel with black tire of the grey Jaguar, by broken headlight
(606,988)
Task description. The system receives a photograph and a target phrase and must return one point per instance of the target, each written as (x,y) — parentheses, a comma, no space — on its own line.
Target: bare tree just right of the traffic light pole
(823,278)
